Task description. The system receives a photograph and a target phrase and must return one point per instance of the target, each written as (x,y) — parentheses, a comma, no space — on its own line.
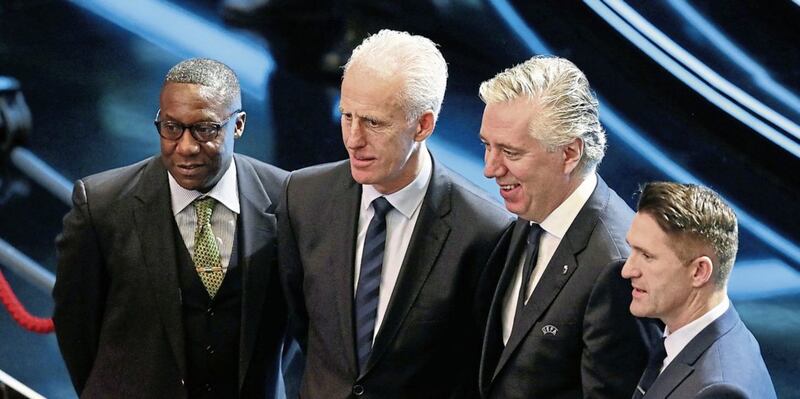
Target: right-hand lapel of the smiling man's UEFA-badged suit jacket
(559,270)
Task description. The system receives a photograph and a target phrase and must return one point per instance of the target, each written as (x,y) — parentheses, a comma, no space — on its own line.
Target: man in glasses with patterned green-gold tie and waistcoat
(167,284)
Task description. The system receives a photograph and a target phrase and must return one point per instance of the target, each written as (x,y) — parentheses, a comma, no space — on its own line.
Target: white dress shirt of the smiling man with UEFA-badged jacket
(554,228)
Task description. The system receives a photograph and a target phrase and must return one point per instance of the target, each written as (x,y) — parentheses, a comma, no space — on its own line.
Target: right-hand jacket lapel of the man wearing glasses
(257,234)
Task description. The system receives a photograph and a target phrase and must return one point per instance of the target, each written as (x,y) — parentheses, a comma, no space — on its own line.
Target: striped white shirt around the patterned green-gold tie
(223,218)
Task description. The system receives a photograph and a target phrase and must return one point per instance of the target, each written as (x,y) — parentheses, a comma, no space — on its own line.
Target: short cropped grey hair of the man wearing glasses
(209,73)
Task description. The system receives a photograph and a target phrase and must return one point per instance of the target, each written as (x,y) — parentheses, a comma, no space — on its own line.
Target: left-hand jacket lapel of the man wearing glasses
(155,226)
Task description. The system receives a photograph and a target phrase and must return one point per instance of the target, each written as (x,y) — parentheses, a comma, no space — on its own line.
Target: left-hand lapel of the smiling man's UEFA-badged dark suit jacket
(494,327)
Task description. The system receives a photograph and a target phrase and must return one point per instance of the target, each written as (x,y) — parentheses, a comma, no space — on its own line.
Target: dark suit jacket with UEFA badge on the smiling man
(597,350)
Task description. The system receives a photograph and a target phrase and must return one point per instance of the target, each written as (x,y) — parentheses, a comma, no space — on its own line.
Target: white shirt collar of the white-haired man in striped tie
(407,199)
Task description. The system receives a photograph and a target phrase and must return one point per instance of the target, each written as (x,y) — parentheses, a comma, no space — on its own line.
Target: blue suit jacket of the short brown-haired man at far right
(722,361)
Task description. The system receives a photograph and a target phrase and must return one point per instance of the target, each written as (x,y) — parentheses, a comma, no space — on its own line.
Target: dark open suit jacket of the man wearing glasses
(117,299)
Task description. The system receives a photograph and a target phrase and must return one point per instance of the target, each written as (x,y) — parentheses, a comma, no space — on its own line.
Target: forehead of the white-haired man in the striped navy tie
(365,90)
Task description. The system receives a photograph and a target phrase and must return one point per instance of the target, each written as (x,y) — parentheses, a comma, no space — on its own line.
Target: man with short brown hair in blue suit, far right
(684,240)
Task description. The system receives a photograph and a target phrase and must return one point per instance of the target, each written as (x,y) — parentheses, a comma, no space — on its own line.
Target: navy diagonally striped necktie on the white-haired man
(369,280)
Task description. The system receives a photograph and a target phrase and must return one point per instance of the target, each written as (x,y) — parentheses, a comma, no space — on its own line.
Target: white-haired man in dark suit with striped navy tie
(383,252)
